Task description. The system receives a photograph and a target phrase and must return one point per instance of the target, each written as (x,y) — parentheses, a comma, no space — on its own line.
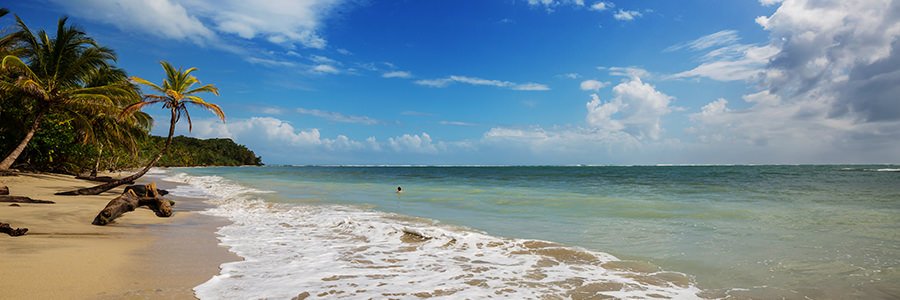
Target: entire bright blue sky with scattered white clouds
(528,82)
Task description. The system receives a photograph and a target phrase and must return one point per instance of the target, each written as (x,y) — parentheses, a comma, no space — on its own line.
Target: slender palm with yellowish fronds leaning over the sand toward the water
(176,92)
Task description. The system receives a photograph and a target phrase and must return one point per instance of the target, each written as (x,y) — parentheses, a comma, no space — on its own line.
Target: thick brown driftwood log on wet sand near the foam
(129,200)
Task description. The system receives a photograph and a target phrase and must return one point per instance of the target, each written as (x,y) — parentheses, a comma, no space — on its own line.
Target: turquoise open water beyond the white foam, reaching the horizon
(765,231)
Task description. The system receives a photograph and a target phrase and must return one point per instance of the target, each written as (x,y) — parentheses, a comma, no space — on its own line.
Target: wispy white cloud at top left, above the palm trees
(286,23)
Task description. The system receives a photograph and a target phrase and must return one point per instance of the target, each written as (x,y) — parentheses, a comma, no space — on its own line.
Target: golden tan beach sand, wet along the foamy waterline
(139,256)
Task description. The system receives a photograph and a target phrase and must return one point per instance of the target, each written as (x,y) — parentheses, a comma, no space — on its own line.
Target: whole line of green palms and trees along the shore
(66,107)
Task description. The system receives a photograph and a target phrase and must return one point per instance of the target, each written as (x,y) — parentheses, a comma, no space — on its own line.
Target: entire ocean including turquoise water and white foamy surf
(546,232)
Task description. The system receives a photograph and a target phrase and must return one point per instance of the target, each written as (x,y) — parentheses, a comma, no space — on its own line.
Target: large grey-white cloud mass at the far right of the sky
(827,79)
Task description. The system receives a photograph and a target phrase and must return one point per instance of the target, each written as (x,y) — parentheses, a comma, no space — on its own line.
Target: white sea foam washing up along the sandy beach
(348,252)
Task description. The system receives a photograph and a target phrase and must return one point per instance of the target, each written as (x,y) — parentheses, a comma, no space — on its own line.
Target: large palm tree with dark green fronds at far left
(53,79)
